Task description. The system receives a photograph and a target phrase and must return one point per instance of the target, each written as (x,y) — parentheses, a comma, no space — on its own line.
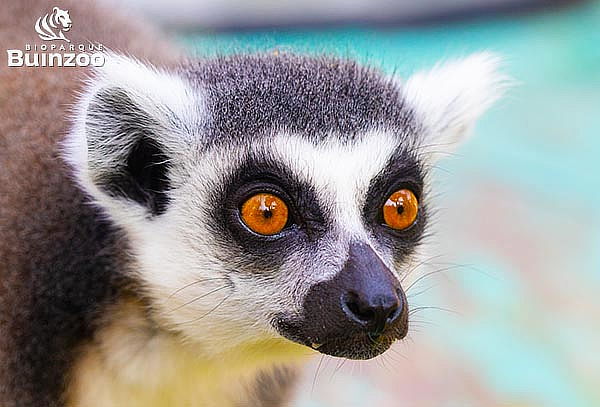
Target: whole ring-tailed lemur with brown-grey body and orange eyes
(215,222)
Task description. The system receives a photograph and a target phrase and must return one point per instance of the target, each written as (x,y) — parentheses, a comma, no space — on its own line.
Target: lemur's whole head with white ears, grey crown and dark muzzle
(274,196)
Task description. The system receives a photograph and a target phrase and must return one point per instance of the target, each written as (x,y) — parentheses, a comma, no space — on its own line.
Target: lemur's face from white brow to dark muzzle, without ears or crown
(301,225)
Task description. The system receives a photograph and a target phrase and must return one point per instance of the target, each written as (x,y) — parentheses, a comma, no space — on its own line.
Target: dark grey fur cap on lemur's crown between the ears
(258,95)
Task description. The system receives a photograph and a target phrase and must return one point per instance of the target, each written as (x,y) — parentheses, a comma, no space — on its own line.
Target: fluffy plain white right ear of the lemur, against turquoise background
(449,98)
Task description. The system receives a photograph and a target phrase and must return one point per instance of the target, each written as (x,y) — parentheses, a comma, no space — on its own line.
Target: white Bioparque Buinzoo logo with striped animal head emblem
(52,27)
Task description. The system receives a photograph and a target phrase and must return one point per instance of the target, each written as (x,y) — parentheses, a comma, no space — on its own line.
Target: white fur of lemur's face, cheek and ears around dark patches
(188,276)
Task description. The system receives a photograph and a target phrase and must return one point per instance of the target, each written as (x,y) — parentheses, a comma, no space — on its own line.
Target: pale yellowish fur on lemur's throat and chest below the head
(130,363)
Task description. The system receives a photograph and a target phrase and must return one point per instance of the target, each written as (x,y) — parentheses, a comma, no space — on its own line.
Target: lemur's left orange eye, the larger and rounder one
(265,214)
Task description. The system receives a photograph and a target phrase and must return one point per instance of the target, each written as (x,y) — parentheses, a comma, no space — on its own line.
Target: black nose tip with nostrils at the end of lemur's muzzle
(373,312)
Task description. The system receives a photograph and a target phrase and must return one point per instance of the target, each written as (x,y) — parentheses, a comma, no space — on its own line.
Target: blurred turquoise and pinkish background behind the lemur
(511,298)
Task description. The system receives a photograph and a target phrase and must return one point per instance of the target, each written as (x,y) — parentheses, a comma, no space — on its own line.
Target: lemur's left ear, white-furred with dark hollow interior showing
(129,124)
